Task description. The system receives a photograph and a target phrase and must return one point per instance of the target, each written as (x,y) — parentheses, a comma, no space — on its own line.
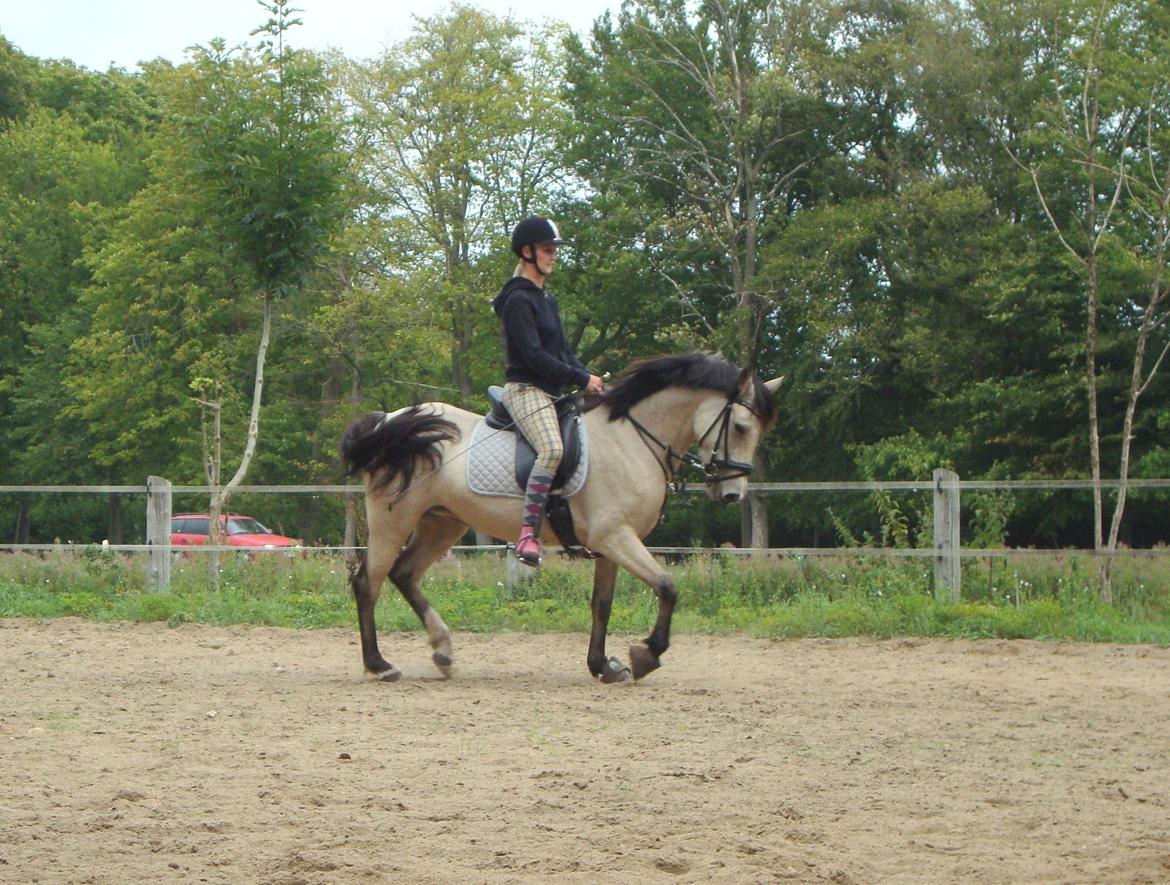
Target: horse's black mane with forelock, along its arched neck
(697,371)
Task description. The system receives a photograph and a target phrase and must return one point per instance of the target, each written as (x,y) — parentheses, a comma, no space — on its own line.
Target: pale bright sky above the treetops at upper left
(98,35)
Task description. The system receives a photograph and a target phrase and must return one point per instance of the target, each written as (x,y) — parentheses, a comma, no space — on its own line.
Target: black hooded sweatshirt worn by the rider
(536,351)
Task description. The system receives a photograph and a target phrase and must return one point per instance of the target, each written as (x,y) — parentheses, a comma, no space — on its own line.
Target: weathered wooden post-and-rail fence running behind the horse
(946,488)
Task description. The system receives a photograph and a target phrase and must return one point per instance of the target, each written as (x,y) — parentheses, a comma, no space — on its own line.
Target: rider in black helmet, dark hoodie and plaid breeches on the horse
(539,363)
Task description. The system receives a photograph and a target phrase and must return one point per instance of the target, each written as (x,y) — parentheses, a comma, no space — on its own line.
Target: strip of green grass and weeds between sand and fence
(1037,599)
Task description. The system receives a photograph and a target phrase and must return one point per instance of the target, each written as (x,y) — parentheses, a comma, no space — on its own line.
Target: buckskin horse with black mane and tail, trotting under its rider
(639,433)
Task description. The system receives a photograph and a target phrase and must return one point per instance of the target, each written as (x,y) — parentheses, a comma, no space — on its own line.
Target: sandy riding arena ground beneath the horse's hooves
(143,753)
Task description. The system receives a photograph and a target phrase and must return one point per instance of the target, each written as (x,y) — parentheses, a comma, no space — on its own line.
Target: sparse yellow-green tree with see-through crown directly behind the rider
(457,120)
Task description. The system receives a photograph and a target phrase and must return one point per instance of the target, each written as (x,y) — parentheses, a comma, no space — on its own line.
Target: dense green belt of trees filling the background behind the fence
(946,223)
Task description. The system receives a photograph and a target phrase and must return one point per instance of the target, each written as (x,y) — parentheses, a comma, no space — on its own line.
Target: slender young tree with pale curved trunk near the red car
(267,152)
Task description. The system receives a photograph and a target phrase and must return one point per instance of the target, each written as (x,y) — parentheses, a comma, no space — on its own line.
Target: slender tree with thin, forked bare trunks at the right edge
(1078,157)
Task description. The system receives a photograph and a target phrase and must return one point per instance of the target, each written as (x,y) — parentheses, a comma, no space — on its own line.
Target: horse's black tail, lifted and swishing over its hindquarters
(389,448)
